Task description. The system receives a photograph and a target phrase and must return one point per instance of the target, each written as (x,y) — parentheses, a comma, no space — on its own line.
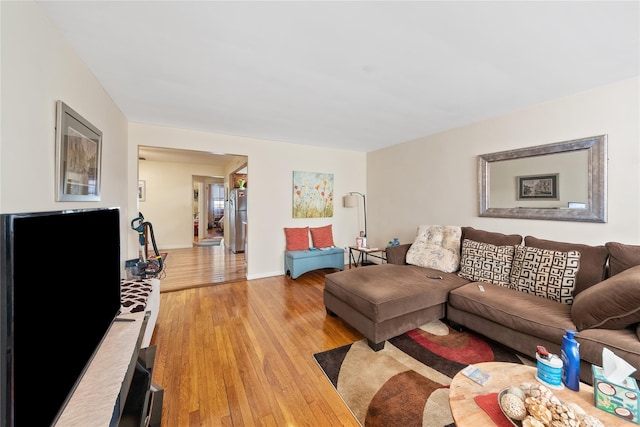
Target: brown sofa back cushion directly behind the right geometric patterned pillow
(593,260)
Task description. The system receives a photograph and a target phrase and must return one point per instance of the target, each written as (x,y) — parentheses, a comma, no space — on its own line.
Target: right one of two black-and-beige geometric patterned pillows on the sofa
(545,273)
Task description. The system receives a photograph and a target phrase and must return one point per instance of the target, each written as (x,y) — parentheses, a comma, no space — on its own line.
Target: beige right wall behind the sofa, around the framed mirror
(433,180)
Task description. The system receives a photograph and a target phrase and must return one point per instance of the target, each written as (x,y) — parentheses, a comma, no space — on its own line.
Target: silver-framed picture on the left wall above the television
(78,156)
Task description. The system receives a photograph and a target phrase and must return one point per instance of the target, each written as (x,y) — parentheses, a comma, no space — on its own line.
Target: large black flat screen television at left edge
(59,294)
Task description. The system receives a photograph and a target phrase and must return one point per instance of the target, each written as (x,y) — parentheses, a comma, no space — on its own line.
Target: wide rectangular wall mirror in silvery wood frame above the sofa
(563,181)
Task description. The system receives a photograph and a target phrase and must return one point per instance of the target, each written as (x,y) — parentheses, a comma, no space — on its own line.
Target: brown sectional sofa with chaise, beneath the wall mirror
(383,301)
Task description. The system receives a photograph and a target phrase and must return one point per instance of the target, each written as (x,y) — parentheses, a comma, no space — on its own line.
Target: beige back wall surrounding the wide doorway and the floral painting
(271,165)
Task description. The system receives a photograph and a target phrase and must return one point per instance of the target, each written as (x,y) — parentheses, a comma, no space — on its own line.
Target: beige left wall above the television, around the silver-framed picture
(38,69)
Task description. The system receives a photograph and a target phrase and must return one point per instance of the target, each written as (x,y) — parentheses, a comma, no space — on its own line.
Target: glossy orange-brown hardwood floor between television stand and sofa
(241,353)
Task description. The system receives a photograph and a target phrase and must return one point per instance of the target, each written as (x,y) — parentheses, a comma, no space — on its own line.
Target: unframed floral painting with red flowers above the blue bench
(312,195)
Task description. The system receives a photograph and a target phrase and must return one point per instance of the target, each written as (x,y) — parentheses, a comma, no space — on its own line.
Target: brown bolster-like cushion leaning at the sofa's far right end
(611,304)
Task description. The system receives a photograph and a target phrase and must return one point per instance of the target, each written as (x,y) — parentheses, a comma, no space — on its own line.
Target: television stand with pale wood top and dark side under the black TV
(111,381)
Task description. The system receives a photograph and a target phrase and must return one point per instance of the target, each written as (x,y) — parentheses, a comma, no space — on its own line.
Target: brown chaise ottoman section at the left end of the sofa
(386,300)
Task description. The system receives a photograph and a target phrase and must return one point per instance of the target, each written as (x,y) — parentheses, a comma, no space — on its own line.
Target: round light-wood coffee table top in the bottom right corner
(466,412)
